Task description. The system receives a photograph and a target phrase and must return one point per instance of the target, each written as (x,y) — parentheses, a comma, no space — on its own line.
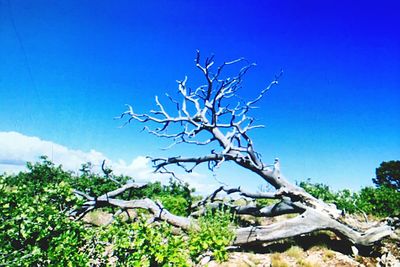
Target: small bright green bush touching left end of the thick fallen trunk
(214,236)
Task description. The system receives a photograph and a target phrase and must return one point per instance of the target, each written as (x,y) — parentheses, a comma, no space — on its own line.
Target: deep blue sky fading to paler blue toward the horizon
(68,67)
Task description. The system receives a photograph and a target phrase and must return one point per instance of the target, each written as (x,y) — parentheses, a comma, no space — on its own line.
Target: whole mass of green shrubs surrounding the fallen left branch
(35,229)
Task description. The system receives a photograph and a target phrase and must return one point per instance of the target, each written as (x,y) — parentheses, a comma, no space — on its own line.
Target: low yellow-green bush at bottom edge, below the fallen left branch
(137,244)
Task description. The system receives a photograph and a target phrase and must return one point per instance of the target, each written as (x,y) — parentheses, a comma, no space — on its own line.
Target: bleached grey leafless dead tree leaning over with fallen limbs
(213,115)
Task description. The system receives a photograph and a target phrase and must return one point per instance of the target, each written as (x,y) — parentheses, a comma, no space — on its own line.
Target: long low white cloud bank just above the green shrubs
(16,149)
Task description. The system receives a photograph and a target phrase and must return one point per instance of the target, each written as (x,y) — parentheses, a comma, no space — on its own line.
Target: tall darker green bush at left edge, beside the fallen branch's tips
(34,229)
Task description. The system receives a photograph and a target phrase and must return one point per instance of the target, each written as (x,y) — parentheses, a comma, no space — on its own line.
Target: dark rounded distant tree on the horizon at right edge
(388,174)
